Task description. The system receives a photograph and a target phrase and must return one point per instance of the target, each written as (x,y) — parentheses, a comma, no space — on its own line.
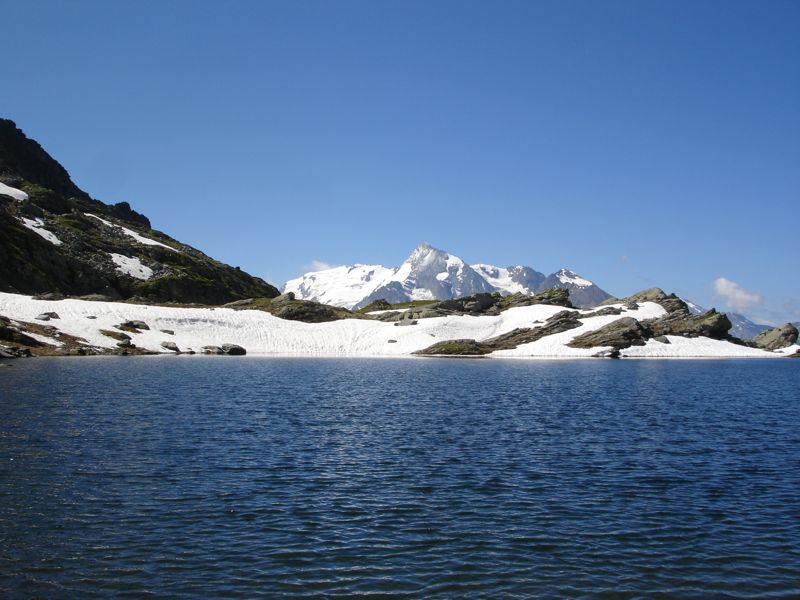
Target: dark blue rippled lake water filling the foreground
(210,477)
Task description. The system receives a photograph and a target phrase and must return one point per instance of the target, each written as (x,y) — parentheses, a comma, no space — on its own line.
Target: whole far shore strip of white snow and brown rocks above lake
(517,325)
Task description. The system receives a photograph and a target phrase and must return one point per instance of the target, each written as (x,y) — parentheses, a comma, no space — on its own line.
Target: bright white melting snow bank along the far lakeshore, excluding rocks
(262,333)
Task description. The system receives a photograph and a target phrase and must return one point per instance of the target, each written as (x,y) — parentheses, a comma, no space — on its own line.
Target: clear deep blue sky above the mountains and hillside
(639,143)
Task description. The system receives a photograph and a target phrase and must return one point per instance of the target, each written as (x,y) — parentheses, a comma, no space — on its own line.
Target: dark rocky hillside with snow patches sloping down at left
(55,238)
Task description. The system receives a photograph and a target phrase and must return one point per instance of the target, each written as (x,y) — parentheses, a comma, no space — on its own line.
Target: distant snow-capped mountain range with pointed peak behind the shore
(432,274)
